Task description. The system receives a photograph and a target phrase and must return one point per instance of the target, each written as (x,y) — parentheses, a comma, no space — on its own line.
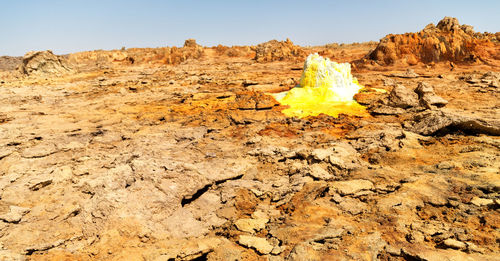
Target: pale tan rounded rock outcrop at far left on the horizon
(43,62)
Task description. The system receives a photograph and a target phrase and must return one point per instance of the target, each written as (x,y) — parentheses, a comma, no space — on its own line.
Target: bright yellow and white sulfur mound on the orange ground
(325,87)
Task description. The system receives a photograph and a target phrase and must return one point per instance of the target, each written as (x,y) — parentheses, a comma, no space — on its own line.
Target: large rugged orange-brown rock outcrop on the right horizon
(448,41)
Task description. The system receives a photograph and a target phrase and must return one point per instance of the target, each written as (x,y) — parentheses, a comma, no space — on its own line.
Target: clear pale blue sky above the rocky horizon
(66,26)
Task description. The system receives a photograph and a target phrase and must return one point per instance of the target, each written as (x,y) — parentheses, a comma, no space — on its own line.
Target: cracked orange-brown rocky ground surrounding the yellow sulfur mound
(179,154)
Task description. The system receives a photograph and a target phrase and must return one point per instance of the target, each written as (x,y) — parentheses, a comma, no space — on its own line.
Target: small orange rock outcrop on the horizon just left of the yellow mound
(277,51)
